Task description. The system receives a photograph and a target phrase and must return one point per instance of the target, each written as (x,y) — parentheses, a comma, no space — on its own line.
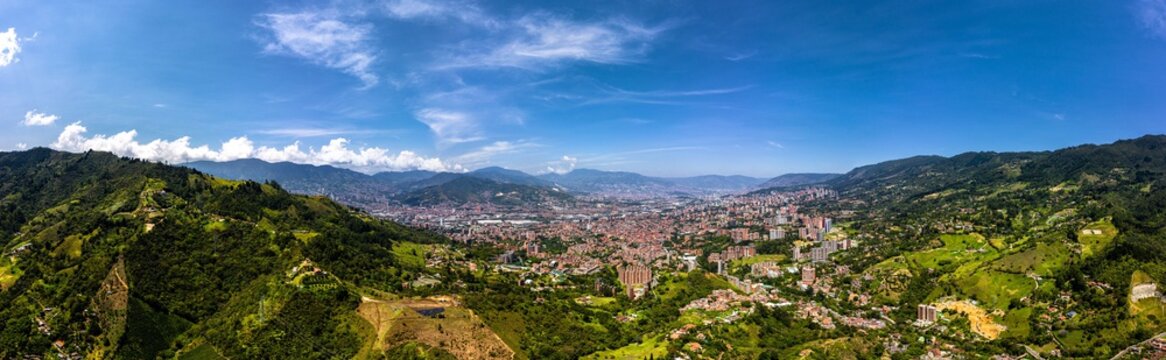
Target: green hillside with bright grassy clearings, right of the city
(1050,243)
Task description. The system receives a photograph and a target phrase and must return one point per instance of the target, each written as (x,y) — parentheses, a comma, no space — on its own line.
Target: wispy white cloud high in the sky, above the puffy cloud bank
(325,40)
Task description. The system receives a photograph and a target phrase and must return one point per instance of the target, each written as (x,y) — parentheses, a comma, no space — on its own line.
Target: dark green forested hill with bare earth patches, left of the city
(111,258)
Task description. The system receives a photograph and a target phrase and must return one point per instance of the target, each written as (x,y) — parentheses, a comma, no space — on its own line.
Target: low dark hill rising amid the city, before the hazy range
(476,190)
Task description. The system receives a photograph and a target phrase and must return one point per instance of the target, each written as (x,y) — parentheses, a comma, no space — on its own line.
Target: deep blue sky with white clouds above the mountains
(662,88)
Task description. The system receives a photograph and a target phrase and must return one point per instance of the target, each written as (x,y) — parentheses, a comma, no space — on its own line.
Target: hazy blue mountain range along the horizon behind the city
(418,187)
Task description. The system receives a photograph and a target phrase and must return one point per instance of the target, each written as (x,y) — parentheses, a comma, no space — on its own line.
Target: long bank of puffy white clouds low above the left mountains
(180,151)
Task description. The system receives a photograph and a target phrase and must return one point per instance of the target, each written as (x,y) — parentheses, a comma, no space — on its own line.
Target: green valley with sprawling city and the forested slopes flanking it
(938,258)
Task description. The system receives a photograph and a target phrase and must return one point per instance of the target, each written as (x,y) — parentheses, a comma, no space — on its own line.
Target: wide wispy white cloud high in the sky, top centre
(543,40)
